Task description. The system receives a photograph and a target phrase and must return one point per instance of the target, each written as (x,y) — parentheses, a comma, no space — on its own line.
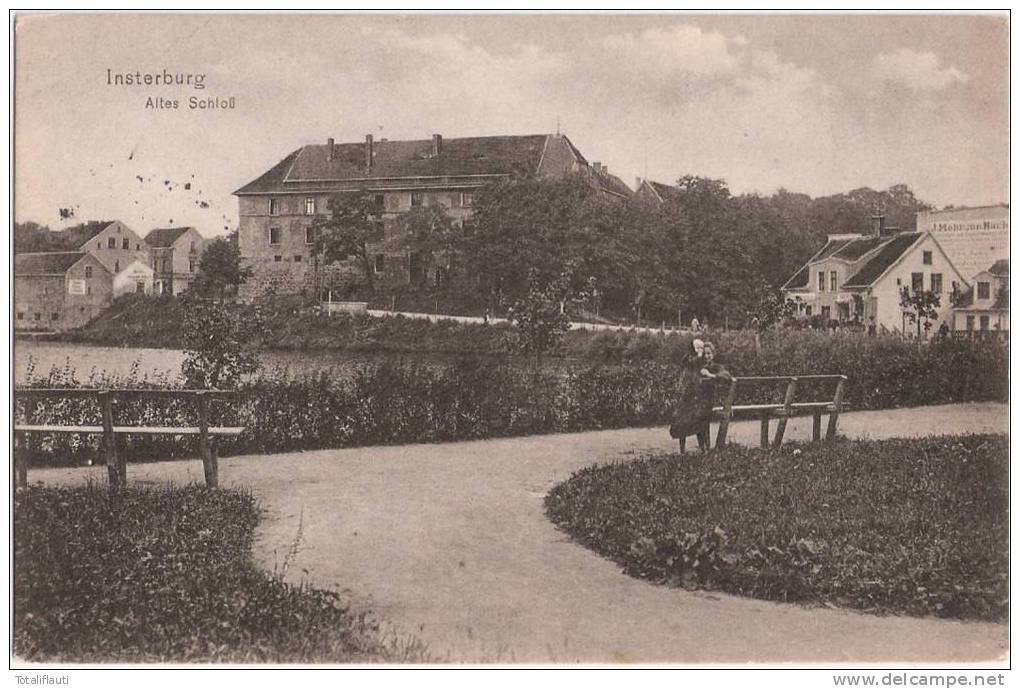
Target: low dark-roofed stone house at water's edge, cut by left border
(61,290)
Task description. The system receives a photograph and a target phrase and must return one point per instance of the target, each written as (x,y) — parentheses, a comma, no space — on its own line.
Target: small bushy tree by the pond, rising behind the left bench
(219,343)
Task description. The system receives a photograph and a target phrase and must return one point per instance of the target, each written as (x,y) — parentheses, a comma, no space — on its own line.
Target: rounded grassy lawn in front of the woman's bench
(911,527)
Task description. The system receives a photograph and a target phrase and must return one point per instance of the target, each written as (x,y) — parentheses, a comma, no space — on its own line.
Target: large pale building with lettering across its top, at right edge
(975,238)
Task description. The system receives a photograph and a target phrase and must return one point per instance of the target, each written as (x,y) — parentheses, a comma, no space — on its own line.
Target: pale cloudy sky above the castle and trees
(819,105)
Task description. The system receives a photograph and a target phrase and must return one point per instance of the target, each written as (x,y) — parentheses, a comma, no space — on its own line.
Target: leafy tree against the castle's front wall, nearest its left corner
(352,226)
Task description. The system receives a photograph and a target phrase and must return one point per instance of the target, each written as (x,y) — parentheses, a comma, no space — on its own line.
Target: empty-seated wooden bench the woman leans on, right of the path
(782,411)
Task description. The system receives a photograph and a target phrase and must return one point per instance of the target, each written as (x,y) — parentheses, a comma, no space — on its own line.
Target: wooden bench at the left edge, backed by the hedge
(117,466)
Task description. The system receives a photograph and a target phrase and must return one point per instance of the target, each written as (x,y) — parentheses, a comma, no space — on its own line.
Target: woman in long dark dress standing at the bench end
(697,395)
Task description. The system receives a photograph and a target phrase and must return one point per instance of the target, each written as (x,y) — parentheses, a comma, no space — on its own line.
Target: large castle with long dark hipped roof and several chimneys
(278,209)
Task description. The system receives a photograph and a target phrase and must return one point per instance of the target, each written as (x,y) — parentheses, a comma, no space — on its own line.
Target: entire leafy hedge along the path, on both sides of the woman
(397,403)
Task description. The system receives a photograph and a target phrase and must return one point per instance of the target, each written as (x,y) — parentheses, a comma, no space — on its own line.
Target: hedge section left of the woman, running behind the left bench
(382,404)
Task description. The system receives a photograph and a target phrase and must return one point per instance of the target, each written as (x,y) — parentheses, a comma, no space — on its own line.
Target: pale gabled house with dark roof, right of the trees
(859,278)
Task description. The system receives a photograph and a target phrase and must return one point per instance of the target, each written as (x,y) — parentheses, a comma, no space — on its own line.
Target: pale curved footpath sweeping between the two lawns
(449,543)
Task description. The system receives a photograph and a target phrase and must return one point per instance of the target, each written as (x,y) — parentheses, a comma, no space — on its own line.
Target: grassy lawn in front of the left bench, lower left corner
(167,575)
